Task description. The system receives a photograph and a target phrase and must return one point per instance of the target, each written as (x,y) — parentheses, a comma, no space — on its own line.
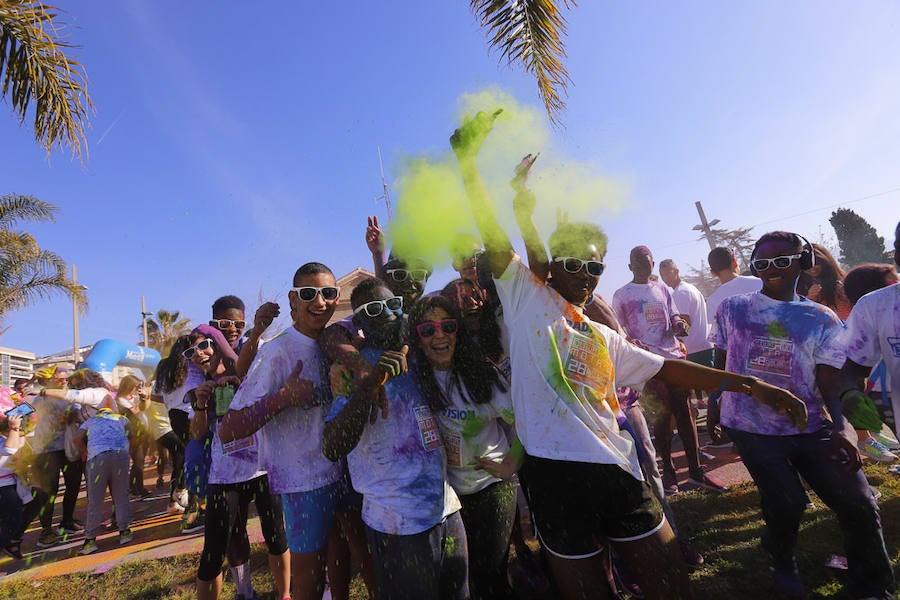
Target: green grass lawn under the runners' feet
(725,529)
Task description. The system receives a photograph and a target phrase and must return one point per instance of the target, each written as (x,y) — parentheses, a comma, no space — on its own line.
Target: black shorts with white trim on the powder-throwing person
(577,506)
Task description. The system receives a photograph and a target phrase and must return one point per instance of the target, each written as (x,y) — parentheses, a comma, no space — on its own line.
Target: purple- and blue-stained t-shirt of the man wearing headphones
(780,343)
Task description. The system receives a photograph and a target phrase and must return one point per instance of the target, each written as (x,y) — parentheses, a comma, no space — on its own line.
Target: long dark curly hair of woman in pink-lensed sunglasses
(471,372)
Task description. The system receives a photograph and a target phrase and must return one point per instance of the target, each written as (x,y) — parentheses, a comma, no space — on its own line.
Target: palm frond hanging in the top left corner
(34,67)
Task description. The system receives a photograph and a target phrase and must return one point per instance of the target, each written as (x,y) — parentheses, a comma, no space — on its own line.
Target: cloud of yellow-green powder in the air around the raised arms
(432,208)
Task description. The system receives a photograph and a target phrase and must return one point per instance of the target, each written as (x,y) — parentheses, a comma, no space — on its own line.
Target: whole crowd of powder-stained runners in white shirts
(393,443)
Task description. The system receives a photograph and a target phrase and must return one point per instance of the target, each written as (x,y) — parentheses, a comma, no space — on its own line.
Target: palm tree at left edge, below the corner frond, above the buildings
(27,271)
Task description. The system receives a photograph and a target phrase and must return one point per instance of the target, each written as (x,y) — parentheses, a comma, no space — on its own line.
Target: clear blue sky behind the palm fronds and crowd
(233,142)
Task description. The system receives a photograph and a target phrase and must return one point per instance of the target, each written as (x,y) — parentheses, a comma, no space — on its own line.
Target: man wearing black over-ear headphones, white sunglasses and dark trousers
(786,340)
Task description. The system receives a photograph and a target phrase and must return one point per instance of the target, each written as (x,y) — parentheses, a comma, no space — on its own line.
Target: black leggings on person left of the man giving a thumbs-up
(226,524)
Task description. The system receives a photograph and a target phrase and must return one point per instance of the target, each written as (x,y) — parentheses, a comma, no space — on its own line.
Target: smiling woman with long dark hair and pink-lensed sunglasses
(470,399)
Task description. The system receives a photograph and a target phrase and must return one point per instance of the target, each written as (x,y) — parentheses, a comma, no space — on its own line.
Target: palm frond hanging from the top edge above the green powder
(530,33)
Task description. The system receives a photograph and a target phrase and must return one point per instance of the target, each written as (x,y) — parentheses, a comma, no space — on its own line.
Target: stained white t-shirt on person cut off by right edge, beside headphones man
(873,332)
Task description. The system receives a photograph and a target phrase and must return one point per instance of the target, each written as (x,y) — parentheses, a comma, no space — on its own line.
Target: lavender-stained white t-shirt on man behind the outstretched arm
(645,311)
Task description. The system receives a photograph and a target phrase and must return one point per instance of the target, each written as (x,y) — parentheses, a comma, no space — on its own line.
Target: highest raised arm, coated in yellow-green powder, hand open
(466,142)
